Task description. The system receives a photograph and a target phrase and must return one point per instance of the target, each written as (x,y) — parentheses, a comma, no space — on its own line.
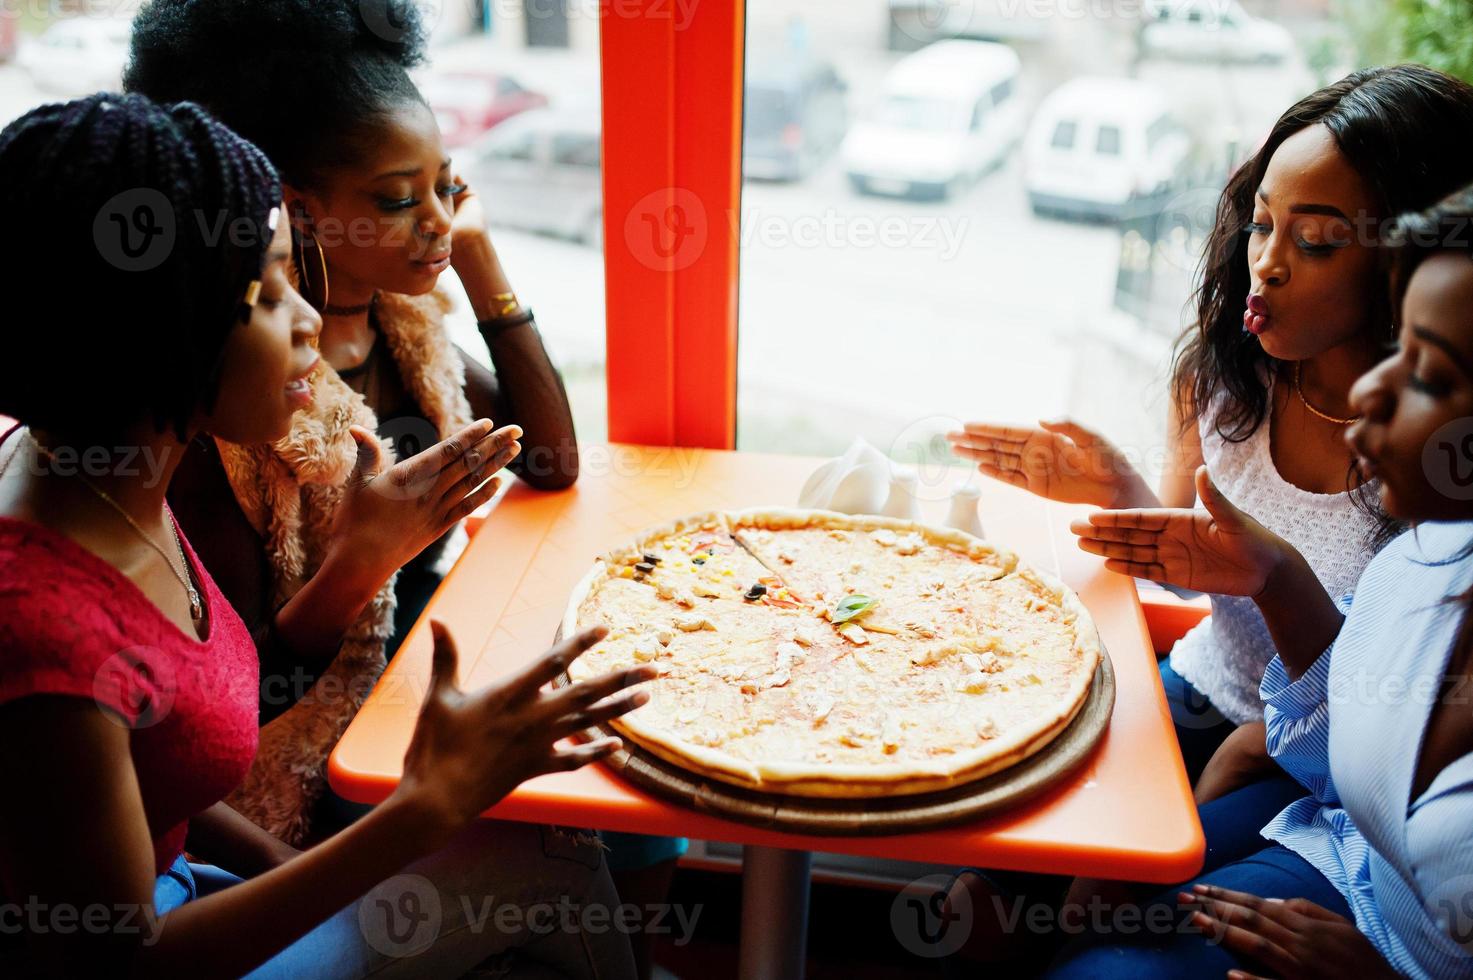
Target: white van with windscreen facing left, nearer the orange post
(946,116)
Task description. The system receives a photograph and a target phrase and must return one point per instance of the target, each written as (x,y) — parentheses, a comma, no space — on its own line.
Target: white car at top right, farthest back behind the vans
(1213,30)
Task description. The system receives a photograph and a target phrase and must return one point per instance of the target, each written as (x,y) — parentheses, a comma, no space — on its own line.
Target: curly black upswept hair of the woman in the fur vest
(304,80)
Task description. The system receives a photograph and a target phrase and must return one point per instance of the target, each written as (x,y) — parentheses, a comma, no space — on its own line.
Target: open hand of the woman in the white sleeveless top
(1060,461)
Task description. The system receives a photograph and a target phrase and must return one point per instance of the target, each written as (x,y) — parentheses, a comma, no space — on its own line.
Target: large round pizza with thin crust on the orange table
(814,654)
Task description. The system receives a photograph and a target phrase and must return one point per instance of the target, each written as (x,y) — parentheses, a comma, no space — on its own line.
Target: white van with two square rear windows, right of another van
(1098,148)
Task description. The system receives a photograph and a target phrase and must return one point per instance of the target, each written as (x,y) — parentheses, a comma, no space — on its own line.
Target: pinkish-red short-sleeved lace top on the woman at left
(73,624)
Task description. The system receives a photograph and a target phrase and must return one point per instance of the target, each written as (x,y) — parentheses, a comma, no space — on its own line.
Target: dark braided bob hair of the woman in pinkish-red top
(138,231)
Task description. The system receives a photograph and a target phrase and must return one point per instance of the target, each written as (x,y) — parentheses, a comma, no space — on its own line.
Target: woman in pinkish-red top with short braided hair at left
(129,686)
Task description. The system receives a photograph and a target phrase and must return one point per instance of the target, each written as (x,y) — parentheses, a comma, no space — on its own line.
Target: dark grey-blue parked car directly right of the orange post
(795,120)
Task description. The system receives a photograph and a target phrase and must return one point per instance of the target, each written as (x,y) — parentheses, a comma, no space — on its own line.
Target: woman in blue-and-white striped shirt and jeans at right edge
(1368,702)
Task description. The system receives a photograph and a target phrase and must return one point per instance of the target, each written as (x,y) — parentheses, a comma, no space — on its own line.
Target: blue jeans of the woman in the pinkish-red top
(519,898)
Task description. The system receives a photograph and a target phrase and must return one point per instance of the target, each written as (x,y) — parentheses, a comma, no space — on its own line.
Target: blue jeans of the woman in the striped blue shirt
(1161,942)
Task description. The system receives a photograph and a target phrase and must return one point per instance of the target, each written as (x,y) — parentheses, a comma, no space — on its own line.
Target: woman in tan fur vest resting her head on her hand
(303,536)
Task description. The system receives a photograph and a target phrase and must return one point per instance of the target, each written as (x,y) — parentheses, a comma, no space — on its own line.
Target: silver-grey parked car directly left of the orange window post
(540,172)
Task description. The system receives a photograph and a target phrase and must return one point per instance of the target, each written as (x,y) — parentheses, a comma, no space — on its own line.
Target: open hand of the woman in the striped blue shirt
(1220,550)
